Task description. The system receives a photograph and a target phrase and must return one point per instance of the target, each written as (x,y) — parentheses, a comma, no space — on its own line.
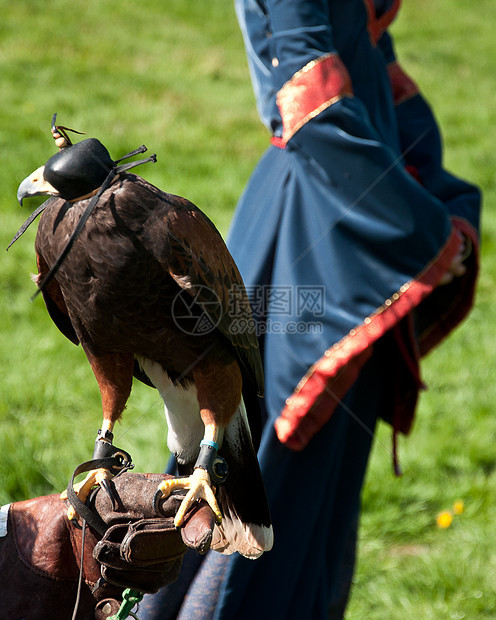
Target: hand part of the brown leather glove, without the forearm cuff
(142,549)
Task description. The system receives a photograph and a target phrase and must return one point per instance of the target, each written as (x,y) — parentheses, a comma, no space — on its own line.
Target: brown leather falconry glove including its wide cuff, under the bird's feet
(41,551)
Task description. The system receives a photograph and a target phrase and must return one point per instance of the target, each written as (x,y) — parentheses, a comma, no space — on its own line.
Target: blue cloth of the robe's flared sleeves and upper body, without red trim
(337,205)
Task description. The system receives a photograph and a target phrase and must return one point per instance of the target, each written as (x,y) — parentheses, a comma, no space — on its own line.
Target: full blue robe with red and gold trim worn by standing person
(342,236)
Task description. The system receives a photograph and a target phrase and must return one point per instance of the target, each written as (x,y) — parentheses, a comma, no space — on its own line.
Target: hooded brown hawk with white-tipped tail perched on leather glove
(149,288)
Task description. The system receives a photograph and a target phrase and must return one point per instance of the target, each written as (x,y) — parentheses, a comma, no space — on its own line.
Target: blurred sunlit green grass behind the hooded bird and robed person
(173,75)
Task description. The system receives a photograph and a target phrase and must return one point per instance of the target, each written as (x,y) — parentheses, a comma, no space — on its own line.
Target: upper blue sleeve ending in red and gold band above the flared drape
(291,52)
